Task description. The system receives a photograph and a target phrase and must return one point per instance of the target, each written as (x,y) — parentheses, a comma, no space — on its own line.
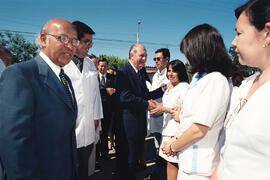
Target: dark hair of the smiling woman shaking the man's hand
(179,67)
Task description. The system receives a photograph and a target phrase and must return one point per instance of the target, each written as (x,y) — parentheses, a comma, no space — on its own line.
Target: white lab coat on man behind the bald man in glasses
(86,87)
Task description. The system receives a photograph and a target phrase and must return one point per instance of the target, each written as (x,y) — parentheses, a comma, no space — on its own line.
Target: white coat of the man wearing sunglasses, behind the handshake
(155,123)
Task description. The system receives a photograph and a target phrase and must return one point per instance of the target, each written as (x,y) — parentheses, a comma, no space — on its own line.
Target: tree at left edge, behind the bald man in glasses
(20,48)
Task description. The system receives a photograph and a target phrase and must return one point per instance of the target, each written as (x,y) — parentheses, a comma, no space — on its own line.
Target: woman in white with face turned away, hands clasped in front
(204,106)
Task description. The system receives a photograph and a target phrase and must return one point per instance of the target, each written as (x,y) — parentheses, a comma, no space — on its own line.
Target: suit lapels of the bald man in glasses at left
(52,82)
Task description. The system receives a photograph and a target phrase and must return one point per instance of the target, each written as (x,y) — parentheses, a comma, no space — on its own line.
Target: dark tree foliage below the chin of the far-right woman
(245,69)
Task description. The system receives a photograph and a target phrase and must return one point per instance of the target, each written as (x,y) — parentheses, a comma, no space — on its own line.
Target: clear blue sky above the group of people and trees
(163,22)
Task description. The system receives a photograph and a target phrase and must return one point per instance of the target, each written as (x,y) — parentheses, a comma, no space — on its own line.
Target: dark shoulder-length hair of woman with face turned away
(204,48)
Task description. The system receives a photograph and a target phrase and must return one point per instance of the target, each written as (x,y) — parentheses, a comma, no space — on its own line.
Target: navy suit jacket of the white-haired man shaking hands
(133,97)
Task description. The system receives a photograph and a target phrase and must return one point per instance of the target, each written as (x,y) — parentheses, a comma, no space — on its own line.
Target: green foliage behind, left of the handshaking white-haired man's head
(114,62)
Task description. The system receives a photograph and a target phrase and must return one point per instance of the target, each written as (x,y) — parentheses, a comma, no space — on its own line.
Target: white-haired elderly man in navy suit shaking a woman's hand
(133,103)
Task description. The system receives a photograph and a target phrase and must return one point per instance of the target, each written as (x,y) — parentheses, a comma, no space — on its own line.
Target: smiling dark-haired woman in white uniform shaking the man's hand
(177,75)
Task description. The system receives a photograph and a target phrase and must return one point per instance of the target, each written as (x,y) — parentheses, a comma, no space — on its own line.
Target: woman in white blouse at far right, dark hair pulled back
(245,154)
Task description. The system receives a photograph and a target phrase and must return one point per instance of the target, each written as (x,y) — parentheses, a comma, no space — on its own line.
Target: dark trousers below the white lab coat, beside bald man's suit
(83,156)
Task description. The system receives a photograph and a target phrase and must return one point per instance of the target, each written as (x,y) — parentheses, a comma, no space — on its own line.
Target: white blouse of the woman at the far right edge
(245,154)
